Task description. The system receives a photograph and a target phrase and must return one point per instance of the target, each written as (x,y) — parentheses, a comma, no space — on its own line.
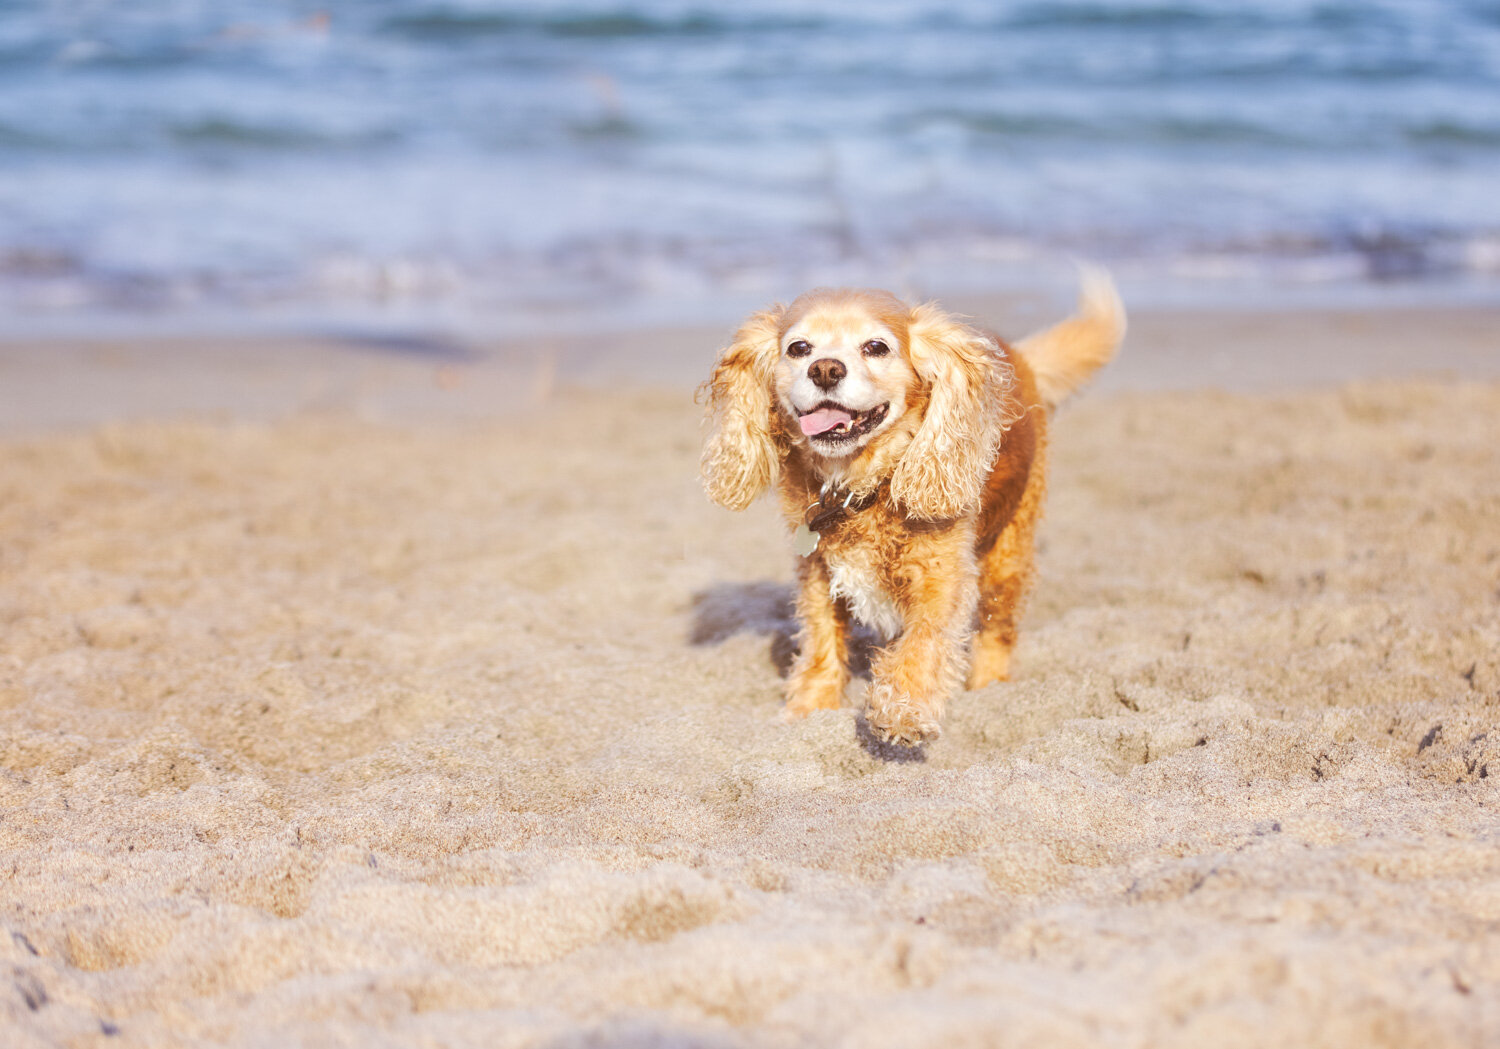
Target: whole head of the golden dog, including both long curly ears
(847,374)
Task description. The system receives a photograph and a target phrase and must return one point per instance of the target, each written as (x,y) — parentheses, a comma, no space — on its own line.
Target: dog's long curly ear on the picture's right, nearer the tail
(949,461)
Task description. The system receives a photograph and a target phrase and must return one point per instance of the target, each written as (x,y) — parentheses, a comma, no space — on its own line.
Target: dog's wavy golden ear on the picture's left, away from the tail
(743,455)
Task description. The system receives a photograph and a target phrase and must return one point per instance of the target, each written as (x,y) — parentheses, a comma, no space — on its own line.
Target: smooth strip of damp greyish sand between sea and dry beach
(56,383)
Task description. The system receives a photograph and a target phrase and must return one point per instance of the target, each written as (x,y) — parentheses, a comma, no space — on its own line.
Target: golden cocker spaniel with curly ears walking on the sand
(910,455)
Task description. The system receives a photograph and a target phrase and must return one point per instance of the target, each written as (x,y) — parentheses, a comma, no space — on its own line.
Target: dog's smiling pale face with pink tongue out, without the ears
(844,376)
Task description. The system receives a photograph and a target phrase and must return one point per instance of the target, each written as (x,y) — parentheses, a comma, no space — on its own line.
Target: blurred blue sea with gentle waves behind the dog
(629,158)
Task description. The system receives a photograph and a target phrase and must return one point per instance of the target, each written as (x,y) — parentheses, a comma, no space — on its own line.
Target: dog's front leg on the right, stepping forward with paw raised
(916,676)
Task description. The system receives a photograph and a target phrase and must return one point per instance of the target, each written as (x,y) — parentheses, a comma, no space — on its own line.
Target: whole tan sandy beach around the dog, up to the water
(334,712)
